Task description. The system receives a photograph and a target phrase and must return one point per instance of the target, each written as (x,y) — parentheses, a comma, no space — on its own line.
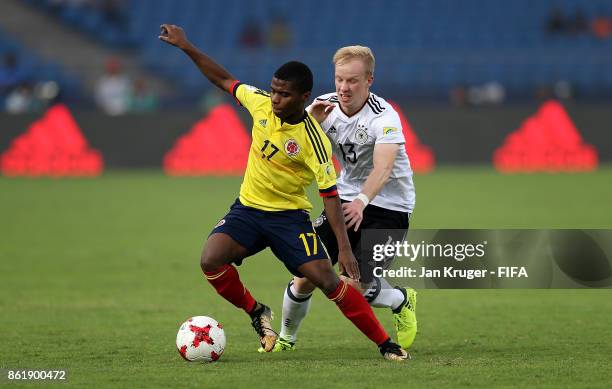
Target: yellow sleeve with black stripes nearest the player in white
(319,159)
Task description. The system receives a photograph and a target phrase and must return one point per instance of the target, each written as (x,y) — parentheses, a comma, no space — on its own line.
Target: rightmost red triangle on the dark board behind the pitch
(547,141)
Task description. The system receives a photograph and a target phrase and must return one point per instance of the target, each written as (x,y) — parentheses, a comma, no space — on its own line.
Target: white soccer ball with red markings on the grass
(200,339)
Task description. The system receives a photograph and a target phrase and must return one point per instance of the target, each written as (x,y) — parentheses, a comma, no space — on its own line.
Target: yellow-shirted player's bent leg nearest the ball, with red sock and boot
(221,249)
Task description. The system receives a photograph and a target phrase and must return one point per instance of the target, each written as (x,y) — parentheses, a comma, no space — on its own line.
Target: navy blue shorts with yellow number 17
(289,234)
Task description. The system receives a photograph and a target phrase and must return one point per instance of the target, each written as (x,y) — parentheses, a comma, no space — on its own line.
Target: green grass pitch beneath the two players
(96,276)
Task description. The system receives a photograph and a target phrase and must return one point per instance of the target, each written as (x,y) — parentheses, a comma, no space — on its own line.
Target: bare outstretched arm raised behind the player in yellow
(174,35)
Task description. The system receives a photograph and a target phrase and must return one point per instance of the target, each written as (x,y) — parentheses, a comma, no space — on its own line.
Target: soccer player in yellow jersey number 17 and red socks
(287,152)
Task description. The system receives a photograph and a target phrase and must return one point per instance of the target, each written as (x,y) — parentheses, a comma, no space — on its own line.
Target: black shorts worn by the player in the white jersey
(395,224)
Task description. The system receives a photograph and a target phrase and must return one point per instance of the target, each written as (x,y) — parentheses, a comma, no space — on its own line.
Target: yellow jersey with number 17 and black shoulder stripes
(284,158)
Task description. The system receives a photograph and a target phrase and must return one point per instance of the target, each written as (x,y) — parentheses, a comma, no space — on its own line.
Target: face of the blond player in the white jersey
(352,84)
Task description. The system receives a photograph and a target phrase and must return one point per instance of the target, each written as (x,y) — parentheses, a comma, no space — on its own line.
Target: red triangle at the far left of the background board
(53,146)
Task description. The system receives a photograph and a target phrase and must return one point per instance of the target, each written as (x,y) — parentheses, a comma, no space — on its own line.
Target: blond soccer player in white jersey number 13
(375,187)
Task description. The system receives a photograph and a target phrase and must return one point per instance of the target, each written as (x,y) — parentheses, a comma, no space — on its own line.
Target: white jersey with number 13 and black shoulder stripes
(353,140)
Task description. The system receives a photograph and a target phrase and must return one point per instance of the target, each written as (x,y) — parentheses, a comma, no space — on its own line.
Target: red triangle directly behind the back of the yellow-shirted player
(217,145)
